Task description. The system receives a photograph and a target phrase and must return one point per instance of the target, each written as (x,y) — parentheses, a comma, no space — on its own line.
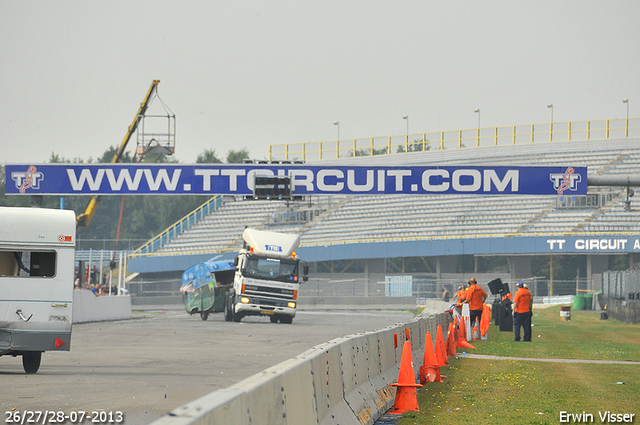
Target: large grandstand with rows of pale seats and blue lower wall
(370,228)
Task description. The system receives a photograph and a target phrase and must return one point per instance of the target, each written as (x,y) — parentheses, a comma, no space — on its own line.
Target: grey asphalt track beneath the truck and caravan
(159,360)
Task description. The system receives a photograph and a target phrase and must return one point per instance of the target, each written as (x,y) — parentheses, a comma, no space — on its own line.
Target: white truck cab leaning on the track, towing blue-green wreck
(267,277)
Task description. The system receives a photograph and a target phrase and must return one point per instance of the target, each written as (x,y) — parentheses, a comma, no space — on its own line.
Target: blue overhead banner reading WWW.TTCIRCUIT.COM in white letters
(238,179)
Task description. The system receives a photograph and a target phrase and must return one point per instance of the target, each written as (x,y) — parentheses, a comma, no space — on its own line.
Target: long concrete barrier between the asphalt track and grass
(344,381)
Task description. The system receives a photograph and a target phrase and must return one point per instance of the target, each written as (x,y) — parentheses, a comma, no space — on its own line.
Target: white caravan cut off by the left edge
(37,250)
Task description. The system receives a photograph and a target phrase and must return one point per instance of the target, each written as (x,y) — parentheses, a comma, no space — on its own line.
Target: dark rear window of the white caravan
(24,263)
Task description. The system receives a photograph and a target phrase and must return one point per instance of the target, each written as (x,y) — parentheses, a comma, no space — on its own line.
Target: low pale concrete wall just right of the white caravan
(89,308)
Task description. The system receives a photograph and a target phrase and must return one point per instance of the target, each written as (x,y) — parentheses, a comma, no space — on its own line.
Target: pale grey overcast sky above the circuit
(249,74)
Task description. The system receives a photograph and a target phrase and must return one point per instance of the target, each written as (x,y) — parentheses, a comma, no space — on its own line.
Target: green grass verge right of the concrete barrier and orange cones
(528,392)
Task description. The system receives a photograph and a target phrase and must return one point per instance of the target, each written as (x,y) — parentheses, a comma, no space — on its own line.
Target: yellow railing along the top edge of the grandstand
(458,139)
